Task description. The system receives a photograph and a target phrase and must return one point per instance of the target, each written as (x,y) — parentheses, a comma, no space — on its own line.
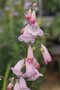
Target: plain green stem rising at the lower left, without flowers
(6,77)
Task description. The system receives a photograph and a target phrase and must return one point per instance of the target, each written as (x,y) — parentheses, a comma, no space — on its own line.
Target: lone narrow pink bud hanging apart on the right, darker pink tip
(45,53)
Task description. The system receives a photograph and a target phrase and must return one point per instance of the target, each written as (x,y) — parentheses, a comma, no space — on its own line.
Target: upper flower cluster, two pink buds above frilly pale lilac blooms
(31,31)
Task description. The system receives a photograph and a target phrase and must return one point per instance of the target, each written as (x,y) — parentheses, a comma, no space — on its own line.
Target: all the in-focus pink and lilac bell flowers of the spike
(29,34)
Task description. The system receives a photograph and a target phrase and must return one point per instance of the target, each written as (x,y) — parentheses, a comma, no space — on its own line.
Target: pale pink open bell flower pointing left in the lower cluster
(17,68)
